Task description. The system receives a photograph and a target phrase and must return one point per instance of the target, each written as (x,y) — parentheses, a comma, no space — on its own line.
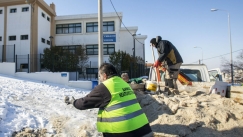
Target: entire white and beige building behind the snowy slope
(30,26)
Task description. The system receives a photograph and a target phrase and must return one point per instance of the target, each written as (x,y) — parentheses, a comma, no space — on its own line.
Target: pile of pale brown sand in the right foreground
(195,113)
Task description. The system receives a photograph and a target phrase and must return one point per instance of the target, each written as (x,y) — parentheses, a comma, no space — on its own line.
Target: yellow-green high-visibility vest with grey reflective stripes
(123,113)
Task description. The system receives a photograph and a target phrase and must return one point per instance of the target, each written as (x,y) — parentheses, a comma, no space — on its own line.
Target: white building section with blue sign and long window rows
(73,30)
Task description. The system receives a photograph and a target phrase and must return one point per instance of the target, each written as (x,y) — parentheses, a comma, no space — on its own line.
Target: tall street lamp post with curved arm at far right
(231,59)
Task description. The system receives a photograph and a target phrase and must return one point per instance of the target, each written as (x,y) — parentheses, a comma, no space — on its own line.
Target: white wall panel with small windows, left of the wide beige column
(18,24)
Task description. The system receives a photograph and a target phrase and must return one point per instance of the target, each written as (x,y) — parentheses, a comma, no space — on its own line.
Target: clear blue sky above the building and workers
(185,23)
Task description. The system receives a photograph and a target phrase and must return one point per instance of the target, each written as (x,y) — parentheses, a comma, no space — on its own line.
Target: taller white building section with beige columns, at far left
(23,27)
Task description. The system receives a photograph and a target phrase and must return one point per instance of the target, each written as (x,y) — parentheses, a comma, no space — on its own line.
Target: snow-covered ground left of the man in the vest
(36,105)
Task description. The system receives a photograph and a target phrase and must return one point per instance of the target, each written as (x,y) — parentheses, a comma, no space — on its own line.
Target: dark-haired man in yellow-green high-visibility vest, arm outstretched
(120,114)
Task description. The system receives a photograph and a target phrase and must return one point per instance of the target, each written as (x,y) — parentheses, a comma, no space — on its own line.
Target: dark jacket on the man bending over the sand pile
(168,53)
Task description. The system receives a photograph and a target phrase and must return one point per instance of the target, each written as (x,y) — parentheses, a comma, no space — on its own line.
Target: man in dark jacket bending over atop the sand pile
(171,58)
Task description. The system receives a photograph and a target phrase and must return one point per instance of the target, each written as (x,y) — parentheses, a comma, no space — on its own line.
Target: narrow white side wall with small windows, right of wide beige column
(44,27)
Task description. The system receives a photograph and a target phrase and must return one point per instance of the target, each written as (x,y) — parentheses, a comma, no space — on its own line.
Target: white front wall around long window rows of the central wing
(86,38)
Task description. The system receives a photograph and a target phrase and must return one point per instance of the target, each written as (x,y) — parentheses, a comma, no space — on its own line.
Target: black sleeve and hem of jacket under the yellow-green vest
(99,97)
